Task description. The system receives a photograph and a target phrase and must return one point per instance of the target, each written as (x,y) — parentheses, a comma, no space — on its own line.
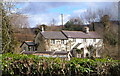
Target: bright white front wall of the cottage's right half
(97,44)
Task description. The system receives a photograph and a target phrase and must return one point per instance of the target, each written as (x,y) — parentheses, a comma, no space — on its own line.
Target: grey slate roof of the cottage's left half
(53,35)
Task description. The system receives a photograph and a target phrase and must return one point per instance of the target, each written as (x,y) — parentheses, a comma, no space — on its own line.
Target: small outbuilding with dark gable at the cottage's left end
(28,46)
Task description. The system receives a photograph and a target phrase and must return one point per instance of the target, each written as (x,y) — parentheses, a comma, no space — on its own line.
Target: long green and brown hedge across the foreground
(20,64)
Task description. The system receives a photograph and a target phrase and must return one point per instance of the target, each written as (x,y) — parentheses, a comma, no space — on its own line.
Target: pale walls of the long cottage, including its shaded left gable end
(69,44)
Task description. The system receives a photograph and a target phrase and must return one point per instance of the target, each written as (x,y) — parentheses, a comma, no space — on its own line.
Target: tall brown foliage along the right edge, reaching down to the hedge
(110,37)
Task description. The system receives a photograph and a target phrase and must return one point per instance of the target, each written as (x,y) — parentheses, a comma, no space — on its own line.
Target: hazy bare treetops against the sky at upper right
(92,15)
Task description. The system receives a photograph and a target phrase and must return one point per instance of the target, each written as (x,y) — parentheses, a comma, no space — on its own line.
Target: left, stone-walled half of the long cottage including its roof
(51,41)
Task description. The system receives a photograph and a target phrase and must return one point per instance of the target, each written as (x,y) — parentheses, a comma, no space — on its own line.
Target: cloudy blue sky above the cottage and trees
(44,12)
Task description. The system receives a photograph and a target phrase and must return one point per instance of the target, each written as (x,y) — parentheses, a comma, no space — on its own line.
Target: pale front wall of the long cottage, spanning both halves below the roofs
(69,44)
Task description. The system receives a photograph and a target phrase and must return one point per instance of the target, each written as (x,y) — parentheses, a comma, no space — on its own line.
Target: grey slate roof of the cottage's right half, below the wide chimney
(81,34)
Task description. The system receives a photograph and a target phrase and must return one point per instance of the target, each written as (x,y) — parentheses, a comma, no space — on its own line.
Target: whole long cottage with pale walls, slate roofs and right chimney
(69,41)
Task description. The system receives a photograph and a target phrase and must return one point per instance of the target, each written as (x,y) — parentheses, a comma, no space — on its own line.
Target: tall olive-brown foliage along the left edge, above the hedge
(8,41)
